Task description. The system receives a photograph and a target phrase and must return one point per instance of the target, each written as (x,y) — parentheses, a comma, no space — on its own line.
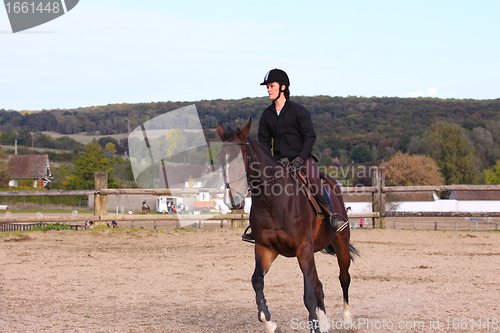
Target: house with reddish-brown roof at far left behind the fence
(35,167)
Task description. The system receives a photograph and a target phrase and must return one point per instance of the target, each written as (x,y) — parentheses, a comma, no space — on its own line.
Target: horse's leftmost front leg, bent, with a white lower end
(264,257)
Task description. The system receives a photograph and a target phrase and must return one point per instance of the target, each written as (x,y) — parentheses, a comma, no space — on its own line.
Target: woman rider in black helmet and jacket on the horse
(286,129)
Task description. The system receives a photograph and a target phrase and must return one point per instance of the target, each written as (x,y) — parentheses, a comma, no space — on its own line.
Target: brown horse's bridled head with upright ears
(234,160)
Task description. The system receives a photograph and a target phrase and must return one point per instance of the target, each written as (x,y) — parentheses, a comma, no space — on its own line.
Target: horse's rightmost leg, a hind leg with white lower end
(341,246)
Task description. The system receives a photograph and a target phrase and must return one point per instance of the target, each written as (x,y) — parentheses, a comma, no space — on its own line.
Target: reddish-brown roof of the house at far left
(27,166)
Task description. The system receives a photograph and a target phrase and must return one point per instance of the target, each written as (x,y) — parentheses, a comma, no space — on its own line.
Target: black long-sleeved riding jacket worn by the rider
(292,131)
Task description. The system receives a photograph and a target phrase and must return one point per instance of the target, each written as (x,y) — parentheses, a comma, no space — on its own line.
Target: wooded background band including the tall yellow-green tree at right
(461,136)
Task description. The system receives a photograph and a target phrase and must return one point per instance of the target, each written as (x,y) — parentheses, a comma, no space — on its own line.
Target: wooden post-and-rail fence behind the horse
(238,218)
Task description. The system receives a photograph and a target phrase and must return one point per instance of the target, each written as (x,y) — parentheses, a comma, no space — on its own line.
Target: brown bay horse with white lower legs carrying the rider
(283,221)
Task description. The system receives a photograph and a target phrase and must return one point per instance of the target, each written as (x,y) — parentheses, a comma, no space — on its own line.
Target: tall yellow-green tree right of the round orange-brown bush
(453,154)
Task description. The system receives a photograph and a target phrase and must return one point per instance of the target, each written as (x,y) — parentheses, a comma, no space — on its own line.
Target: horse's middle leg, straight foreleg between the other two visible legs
(313,290)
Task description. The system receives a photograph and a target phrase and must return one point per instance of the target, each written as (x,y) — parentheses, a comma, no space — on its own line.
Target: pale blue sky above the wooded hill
(110,51)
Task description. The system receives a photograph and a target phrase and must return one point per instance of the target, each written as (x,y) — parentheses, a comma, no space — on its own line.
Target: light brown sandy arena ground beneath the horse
(198,280)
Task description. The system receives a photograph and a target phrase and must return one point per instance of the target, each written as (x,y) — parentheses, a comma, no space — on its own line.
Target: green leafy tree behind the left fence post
(86,164)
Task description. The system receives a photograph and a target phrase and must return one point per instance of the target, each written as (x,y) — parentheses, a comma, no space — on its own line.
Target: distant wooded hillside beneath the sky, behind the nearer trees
(383,124)
